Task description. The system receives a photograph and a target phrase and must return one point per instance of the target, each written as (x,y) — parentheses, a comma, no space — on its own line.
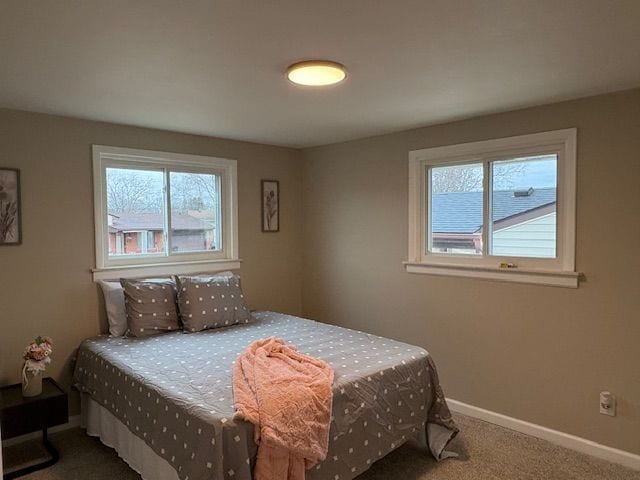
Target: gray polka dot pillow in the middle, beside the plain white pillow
(150,306)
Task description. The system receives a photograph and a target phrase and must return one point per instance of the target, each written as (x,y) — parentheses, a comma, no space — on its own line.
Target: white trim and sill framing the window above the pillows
(185,263)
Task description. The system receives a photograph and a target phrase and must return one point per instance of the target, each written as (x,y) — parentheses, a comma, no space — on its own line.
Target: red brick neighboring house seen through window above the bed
(140,233)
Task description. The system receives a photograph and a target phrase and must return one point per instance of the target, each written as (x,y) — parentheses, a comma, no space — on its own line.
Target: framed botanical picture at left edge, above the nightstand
(10,207)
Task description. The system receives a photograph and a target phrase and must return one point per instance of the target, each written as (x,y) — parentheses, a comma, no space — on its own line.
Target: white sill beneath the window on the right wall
(516,275)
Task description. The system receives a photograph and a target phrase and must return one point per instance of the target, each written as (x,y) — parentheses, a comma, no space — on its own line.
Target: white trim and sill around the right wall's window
(557,272)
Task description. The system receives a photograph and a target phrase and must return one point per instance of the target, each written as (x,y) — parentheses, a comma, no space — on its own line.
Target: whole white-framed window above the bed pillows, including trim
(163,213)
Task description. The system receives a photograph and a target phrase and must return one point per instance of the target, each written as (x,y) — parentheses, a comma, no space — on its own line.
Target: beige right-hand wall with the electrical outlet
(536,353)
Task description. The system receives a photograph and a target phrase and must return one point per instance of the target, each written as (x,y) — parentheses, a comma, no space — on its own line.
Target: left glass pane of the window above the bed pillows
(135,207)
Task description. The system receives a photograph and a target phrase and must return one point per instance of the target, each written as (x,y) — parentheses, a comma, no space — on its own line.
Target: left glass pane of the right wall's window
(456,209)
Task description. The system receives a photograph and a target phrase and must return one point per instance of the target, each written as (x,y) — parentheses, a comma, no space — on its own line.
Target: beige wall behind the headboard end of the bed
(45,284)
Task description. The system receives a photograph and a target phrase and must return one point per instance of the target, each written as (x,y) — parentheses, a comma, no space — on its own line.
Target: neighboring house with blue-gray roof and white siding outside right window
(524,222)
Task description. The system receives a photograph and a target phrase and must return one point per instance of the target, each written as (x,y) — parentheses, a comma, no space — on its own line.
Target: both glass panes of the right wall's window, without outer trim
(496,208)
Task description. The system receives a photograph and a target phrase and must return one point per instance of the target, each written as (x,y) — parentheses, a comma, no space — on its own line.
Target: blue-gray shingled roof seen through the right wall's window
(461,212)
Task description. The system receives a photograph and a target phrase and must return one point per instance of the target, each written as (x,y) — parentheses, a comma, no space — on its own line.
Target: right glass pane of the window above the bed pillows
(195,212)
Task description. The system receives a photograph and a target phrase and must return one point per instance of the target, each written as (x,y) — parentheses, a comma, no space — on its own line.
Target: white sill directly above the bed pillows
(162,269)
